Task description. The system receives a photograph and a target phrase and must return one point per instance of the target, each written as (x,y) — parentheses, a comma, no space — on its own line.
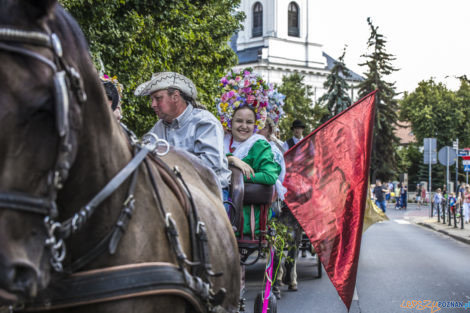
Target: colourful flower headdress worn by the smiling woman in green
(241,88)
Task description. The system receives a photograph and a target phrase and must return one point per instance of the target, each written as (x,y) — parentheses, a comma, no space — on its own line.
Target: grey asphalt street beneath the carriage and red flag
(400,261)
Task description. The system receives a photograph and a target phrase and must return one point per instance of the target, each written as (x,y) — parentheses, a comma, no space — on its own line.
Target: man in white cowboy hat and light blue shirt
(196,130)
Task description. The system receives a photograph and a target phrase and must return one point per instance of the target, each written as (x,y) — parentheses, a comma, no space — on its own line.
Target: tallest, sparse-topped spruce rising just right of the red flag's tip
(379,65)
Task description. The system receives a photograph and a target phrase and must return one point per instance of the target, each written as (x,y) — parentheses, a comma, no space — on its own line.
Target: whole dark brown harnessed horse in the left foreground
(55,158)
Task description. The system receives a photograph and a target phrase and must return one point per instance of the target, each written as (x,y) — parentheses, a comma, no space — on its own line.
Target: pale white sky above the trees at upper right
(429,38)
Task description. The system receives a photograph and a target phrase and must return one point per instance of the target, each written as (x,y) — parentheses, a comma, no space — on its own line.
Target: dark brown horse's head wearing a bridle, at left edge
(41,99)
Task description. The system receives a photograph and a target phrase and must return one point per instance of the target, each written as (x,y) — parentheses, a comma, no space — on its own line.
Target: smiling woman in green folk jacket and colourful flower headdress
(242,111)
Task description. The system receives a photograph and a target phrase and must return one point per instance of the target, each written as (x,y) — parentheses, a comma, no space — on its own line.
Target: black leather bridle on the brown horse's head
(65,78)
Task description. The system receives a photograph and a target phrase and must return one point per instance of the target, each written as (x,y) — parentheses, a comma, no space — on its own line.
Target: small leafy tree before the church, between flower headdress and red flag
(298,105)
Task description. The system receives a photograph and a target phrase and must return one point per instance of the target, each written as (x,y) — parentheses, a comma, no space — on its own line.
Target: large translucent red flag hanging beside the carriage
(327,178)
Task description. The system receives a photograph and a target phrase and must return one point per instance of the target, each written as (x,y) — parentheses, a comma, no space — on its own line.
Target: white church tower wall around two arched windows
(282,54)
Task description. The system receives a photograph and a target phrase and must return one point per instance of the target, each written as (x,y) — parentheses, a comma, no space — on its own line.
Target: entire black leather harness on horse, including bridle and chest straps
(127,281)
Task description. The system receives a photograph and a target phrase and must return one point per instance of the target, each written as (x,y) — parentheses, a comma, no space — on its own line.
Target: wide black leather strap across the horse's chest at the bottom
(120,282)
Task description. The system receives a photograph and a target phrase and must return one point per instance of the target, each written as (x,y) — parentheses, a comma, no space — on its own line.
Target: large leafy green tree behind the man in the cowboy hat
(134,38)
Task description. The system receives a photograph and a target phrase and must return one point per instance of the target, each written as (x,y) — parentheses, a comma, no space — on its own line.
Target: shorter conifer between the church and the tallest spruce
(336,99)
